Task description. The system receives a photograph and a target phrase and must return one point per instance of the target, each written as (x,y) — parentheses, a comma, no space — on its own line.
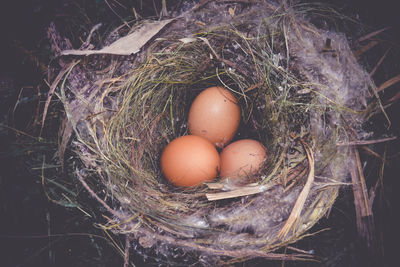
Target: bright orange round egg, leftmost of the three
(190,160)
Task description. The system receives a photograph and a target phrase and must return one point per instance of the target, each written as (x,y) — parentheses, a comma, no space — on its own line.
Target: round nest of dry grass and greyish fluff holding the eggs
(300,95)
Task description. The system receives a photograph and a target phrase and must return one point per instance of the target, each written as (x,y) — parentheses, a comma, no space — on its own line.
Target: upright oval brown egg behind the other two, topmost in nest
(215,115)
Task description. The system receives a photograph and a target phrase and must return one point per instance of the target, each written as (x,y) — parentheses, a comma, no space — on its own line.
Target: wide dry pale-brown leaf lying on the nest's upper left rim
(127,45)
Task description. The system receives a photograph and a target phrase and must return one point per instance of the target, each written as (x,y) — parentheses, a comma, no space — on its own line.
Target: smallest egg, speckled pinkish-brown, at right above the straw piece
(242,158)
